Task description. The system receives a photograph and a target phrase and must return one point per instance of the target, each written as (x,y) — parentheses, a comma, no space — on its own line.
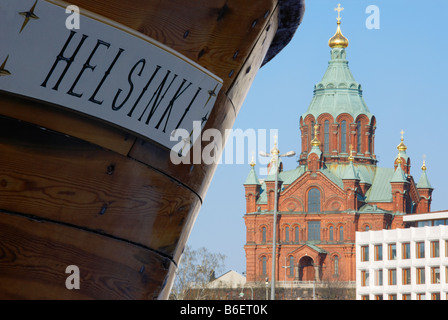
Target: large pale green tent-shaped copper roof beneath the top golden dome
(338,92)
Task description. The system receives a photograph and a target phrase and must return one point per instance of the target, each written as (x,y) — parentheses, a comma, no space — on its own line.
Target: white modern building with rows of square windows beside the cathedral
(404,264)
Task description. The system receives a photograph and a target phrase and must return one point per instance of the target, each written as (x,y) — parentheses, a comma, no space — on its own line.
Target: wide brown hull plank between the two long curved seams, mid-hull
(67,180)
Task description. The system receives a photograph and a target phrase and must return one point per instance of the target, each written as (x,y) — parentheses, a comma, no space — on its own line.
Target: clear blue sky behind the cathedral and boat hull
(403,70)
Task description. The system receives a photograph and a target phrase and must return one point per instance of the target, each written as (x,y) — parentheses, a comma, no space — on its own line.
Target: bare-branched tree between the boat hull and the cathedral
(196,269)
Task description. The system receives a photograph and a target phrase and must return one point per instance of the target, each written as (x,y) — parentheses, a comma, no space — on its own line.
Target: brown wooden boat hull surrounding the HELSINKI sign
(77,190)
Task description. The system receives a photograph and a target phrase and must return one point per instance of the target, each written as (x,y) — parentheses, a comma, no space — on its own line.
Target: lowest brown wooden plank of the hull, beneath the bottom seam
(34,256)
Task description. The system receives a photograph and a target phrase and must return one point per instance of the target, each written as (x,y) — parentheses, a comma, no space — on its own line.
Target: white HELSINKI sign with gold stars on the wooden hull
(102,69)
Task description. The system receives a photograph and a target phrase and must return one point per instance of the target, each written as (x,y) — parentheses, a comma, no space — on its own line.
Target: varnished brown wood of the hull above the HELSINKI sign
(208,32)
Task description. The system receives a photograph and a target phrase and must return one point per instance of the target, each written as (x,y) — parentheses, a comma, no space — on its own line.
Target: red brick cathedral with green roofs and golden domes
(336,190)
